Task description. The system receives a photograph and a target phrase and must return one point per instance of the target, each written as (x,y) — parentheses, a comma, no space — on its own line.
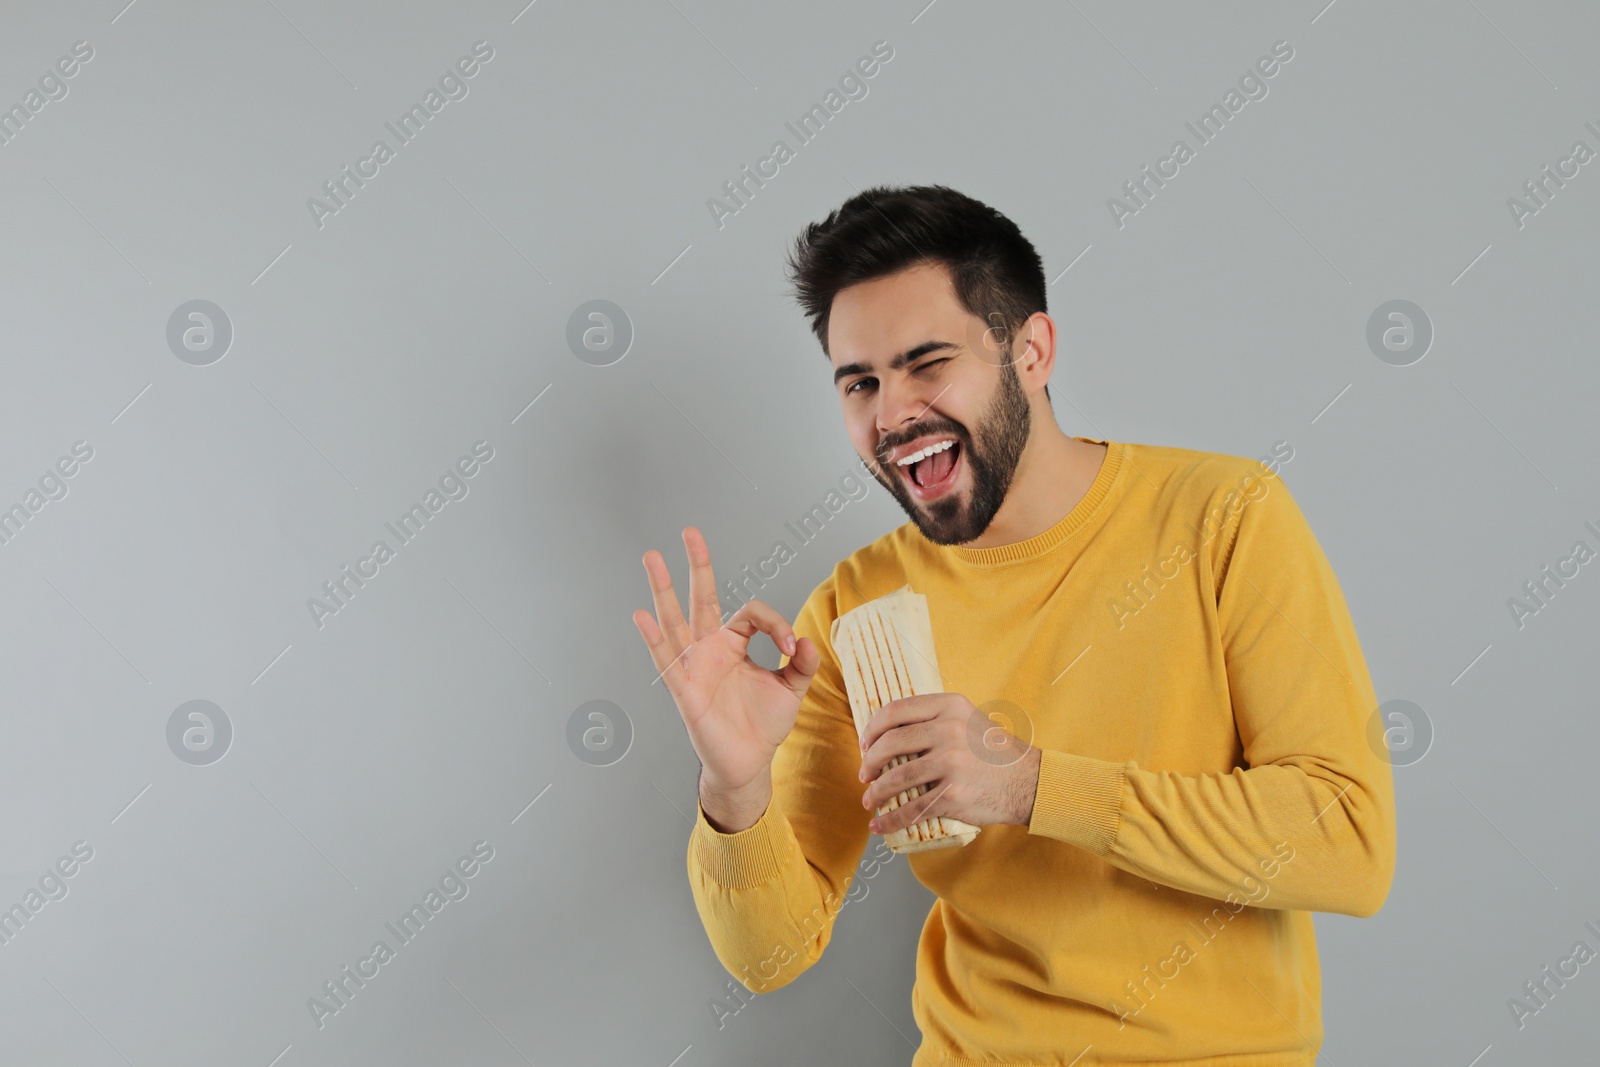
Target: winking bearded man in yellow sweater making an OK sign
(1182,770)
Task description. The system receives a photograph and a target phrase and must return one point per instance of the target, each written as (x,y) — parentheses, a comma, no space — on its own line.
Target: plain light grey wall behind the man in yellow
(426,316)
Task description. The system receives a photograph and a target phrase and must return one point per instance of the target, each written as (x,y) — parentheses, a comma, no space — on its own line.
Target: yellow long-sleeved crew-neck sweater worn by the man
(1180,650)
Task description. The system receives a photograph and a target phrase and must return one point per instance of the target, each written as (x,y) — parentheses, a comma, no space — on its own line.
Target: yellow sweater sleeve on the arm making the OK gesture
(770,893)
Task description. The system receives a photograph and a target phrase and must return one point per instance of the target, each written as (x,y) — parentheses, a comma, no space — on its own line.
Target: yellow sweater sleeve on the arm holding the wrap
(1310,823)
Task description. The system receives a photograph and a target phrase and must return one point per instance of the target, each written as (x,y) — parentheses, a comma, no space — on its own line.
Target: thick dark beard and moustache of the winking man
(993,458)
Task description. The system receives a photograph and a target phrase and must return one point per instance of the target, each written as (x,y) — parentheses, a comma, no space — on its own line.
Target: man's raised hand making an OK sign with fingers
(737,711)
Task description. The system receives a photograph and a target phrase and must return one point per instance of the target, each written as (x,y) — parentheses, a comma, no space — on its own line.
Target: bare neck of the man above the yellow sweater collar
(1054,474)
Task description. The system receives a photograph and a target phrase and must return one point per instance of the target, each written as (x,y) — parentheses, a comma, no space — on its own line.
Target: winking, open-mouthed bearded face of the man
(958,386)
